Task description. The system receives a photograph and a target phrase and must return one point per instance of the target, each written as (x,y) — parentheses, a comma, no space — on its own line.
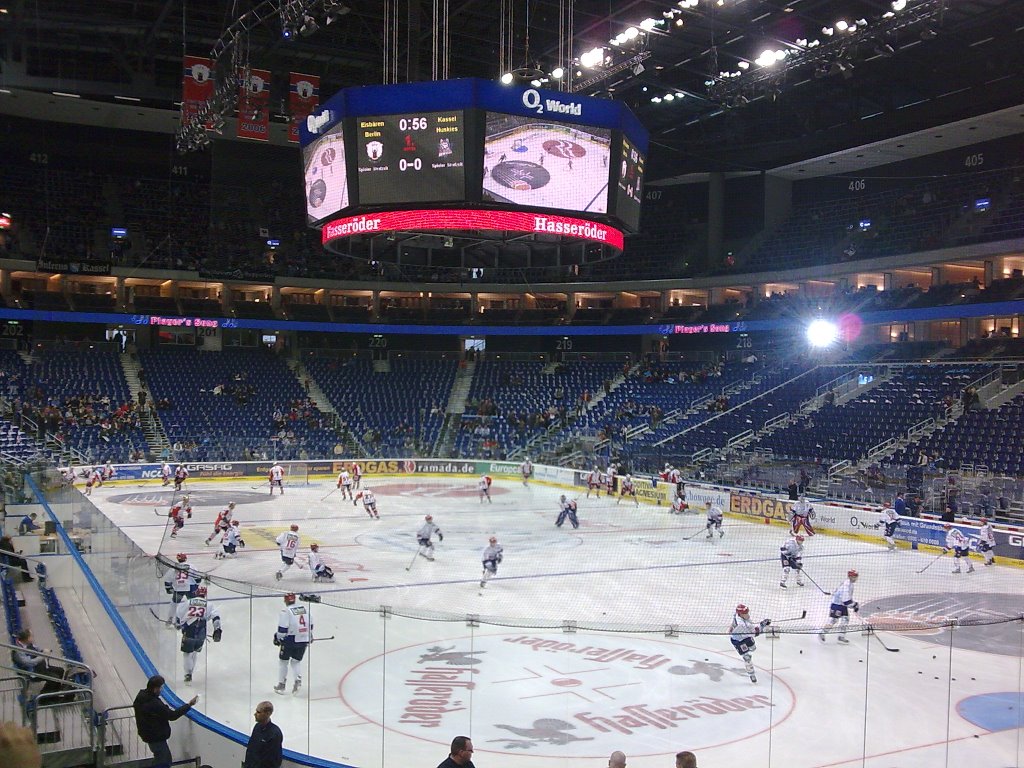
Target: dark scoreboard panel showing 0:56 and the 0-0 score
(412,158)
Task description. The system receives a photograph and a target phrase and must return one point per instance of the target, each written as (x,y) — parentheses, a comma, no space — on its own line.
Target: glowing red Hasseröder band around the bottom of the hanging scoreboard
(445,220)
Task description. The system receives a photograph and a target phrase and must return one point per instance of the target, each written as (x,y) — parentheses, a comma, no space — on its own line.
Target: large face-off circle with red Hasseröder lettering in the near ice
(609,693)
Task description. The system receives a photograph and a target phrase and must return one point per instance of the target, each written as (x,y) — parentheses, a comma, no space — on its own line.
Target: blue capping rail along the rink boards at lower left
(149,669)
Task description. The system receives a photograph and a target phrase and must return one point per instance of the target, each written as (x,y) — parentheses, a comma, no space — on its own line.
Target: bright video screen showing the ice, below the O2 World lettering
(542,163)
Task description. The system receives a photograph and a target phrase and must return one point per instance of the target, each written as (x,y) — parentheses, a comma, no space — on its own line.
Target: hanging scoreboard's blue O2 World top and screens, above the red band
(476,144)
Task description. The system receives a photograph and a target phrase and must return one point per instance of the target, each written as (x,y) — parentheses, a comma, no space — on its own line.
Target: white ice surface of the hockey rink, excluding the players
(613,636)
